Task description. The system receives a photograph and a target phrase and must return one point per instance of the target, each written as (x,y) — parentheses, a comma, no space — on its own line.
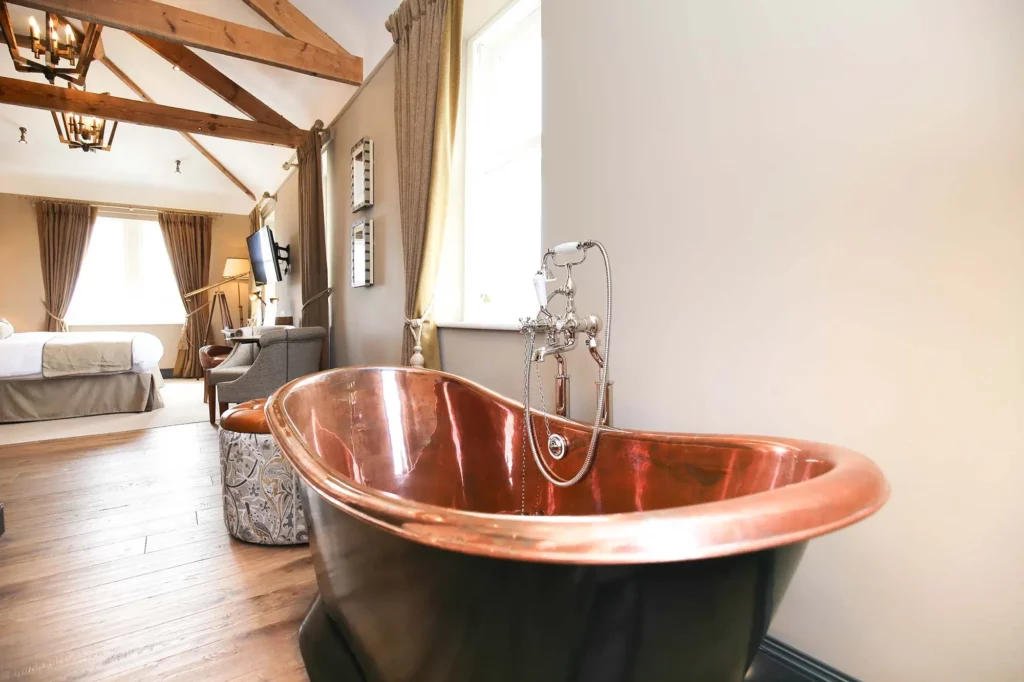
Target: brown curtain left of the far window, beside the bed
(64,236)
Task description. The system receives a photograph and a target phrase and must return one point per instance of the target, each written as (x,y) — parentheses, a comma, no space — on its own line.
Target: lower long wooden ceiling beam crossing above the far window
(37,96)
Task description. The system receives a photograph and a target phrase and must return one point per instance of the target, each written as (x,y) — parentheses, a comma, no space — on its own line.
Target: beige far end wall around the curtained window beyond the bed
(22,281)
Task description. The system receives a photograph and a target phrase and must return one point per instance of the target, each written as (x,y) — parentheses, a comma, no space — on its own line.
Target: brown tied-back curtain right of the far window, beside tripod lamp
(188,238)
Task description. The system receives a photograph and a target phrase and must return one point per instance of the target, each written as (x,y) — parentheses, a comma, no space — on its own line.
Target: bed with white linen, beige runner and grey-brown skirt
(56,375)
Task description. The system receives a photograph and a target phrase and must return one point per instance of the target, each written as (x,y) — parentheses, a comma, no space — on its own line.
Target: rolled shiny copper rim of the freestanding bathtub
(852,491)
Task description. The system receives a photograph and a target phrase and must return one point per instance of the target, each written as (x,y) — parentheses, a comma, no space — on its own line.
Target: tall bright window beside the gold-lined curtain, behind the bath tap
(503,167)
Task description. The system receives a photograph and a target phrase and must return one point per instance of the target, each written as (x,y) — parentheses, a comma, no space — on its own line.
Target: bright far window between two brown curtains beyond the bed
(126,278)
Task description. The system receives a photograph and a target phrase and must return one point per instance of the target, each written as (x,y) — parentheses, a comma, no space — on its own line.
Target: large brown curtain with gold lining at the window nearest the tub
(429,38)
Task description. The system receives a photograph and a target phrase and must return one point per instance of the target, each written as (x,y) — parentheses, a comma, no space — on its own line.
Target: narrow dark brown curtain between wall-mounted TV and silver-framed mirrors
(313,239)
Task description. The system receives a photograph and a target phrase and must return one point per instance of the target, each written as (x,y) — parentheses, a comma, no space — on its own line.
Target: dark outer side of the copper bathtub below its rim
(392,610)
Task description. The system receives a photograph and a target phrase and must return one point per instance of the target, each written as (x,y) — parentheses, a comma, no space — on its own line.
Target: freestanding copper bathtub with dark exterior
(443,556)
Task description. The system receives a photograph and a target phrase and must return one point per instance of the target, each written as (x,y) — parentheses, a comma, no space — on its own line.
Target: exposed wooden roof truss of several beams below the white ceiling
(170,32)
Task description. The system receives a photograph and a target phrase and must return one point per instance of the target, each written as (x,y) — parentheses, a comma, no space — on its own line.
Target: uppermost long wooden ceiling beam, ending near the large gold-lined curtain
(187,28)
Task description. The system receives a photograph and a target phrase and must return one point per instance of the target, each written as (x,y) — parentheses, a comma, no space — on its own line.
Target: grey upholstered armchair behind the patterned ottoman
(255,371)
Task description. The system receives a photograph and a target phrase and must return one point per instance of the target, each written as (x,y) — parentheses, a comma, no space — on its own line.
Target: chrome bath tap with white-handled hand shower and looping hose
(561,333)
